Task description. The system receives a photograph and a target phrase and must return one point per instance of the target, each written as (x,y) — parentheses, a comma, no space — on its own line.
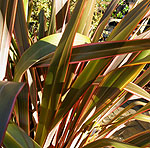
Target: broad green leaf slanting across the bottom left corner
(17,138)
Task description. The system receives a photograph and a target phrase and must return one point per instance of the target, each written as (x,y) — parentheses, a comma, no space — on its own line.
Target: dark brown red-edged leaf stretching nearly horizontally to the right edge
(95,51)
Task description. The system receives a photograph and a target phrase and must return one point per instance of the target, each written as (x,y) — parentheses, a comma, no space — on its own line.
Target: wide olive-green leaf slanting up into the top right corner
(129,22)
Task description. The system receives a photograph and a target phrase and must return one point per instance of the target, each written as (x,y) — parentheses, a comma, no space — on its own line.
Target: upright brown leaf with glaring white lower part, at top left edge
(7,19)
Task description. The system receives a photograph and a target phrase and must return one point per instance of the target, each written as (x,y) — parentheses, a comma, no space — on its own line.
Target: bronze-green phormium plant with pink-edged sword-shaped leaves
(57,87)
